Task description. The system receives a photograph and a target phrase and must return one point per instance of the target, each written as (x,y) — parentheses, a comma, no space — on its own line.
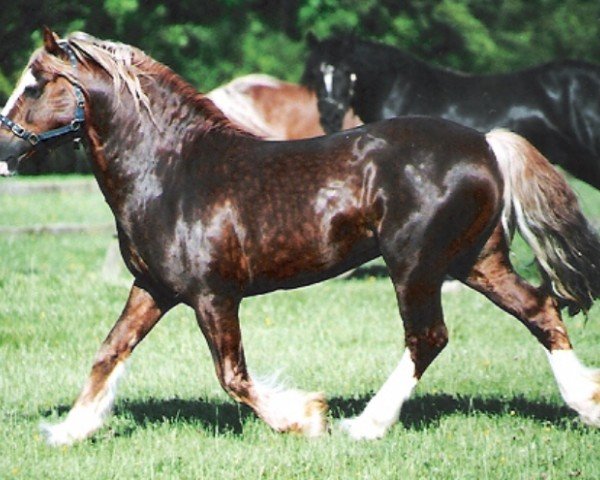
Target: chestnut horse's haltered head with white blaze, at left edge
(47,105)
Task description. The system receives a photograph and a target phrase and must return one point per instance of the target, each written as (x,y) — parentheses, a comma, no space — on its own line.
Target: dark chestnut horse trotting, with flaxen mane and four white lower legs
(207,215)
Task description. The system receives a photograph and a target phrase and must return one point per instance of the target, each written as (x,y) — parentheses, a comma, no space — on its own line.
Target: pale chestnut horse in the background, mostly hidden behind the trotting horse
(273,109)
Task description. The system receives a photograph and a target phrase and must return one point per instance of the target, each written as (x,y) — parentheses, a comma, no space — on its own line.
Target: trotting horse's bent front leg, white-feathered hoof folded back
(283,410)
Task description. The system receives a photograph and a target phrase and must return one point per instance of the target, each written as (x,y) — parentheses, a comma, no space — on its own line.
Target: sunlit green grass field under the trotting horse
(487,408)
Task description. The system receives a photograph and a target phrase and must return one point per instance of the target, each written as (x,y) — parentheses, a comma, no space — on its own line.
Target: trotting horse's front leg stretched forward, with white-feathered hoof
(141,313)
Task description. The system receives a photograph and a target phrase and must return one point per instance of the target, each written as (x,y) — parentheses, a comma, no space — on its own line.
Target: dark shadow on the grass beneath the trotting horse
(418,414)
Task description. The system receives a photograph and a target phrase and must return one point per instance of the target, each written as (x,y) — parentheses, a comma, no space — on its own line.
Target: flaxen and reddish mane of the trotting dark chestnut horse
(127,65)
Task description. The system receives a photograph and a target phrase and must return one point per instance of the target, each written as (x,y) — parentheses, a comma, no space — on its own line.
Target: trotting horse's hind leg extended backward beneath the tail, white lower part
(493,276)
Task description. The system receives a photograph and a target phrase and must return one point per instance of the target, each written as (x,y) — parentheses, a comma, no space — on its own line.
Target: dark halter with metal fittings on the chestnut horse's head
(73,127)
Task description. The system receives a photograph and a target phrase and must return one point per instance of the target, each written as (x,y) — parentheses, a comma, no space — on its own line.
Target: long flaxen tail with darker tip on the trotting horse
(548,216)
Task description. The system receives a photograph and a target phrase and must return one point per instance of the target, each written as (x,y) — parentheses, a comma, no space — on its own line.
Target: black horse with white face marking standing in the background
(556,106)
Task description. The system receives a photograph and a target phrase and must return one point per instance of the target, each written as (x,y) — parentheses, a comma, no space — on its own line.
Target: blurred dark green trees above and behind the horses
(209,42)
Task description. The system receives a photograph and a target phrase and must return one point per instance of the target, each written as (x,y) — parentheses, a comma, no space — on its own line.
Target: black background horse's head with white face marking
(329,73)
